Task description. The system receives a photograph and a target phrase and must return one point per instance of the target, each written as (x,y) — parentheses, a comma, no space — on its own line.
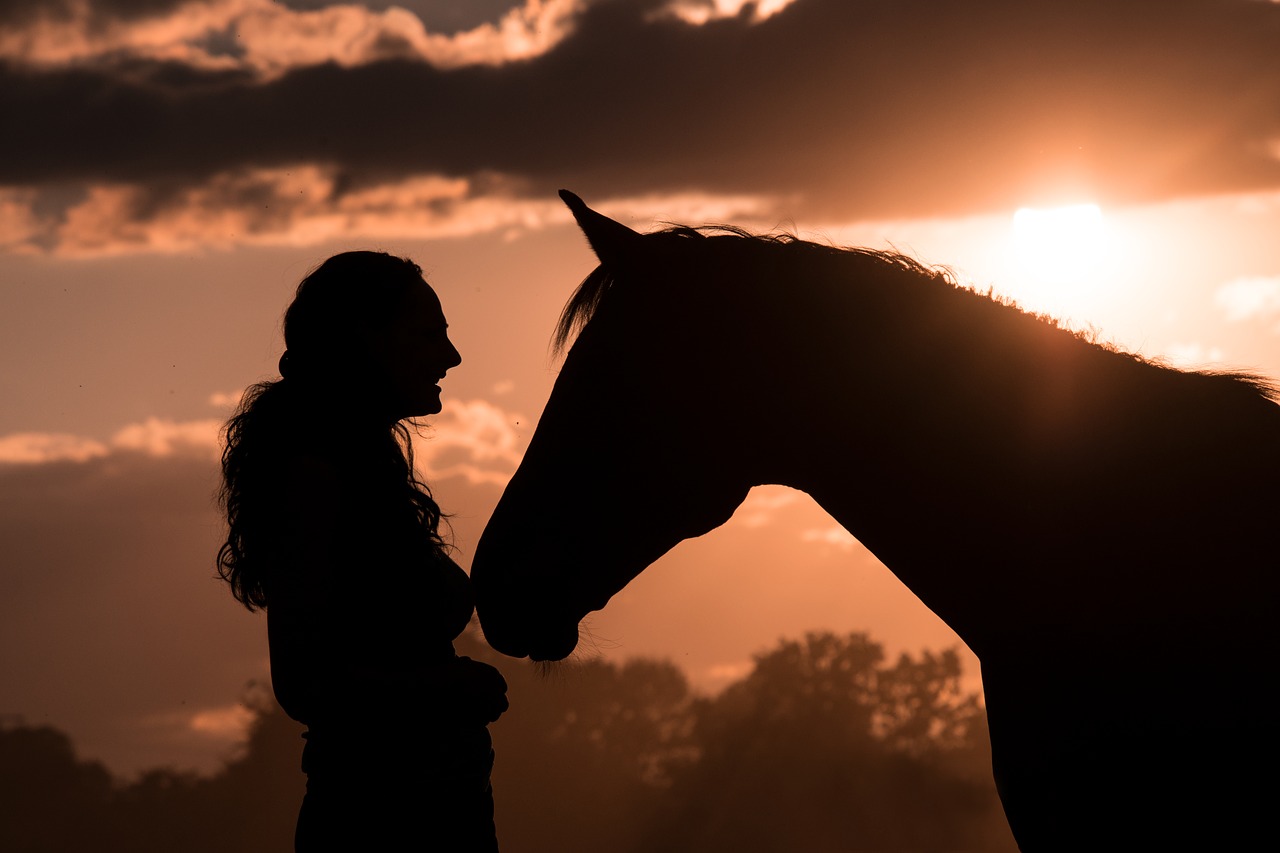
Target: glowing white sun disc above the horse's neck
(1060,247)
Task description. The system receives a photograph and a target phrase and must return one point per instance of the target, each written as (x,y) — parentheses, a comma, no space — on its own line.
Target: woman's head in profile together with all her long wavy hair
(367,344)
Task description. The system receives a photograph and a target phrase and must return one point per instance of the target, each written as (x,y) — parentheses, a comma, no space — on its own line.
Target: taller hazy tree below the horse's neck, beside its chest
(822,747)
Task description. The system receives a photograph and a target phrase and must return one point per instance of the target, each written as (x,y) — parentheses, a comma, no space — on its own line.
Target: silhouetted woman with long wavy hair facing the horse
(335,536)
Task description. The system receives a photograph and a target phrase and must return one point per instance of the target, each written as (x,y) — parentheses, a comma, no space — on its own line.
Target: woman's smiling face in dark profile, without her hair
(414,354)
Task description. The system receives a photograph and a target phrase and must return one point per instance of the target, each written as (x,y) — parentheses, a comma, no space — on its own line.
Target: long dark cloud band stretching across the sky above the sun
(911,108)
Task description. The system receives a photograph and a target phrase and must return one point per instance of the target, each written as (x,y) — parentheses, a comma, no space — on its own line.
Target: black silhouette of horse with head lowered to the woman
(1098,528)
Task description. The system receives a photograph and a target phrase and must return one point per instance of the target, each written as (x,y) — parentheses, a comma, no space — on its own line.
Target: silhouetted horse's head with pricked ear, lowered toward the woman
(624,464)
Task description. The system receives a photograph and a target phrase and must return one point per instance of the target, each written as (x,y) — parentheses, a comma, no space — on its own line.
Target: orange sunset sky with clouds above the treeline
(170,170)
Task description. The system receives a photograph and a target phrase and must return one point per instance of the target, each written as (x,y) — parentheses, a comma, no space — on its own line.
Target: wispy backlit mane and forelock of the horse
(587,300)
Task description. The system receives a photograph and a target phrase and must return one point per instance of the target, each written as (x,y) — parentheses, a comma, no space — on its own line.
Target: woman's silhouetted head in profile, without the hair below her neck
(367,329)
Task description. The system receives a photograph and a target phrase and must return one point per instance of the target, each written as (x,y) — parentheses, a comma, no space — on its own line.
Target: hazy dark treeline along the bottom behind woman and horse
(825,746)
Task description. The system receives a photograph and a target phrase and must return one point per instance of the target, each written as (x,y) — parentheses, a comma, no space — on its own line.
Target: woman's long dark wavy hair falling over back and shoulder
(328,330)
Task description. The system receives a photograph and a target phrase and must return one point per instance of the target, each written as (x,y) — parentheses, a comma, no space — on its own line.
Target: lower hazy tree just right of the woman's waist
(586,752)
